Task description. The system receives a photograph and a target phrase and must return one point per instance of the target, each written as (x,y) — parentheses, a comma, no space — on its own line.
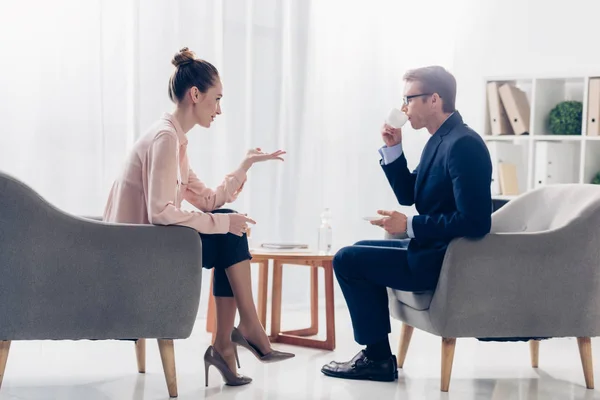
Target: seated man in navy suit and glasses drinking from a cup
(451,191)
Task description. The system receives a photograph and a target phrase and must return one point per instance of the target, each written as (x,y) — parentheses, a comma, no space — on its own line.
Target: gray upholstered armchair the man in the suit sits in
(536,275)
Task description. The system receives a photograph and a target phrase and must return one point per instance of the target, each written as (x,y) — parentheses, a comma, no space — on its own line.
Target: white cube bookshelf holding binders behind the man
(544,93)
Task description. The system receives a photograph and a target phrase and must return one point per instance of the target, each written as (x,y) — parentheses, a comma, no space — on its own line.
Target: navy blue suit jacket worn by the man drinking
(451,191)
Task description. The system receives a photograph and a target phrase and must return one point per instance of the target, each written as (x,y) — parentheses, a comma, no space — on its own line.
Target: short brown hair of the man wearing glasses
(436,79)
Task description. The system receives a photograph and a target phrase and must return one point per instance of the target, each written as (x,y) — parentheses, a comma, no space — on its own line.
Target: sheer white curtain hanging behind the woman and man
(81,80)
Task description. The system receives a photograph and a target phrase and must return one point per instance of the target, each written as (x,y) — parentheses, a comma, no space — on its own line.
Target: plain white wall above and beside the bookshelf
(521,37)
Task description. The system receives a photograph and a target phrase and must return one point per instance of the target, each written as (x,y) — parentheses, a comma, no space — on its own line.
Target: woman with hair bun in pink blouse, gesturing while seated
(157,178)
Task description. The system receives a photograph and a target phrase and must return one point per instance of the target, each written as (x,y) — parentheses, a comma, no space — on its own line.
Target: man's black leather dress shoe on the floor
(363,368)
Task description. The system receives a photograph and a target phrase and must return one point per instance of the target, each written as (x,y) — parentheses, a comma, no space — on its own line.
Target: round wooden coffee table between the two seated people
(297,337)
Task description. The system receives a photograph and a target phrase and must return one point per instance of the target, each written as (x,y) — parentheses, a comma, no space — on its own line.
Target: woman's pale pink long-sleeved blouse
(157,178)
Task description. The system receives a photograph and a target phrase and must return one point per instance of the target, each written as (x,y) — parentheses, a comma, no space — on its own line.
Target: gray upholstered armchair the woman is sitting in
(66,277)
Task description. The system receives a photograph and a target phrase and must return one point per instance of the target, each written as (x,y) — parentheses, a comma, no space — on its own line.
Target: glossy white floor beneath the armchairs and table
(107,370)
